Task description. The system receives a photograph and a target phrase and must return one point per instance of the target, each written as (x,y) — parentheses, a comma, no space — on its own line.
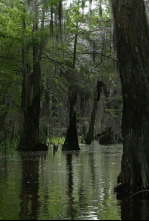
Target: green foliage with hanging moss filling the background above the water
(56,41)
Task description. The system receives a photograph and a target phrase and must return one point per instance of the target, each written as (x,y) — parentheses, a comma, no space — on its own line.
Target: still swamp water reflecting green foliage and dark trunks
(64,186)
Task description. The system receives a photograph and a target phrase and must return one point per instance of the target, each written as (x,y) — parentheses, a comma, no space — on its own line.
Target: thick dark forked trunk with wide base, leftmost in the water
(29,140)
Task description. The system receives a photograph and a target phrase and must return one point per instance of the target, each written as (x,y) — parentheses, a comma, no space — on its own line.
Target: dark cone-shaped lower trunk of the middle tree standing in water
(71,142)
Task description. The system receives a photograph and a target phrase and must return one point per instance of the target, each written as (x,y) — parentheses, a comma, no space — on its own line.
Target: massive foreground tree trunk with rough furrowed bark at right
(132,43)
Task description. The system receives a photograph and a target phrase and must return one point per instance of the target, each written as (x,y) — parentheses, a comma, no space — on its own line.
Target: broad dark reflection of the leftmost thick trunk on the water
(29,197)
